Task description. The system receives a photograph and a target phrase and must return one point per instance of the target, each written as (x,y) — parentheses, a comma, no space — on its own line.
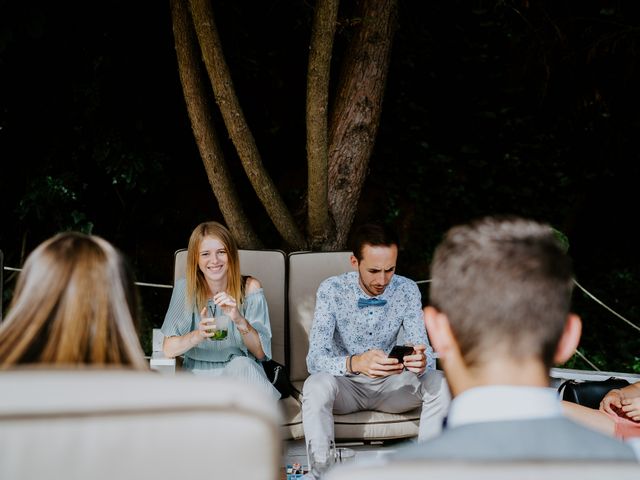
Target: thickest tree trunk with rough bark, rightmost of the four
(356,112)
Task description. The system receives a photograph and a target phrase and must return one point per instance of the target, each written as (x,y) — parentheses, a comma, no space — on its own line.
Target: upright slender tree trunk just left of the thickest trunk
(323,32)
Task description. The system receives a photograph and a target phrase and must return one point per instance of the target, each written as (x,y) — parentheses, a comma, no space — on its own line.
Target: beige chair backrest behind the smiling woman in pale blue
(268,266)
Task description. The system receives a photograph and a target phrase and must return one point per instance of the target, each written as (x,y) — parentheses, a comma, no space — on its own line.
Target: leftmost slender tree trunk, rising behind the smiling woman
(204,130)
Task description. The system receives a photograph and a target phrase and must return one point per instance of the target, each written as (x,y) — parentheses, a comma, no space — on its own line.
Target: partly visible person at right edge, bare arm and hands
(618,415)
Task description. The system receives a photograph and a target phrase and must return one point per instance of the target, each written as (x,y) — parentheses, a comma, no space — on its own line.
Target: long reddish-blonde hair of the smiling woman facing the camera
(197,290)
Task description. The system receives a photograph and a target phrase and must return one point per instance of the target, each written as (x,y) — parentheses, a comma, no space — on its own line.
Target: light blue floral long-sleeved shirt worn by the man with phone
(340,328)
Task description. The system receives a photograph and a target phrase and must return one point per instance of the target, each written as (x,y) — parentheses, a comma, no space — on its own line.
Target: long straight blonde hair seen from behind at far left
(75,303)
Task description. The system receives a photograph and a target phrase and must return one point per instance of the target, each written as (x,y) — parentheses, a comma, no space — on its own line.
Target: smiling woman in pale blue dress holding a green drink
(213,288)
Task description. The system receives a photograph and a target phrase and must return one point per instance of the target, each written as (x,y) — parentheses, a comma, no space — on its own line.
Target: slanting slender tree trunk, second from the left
(236,124)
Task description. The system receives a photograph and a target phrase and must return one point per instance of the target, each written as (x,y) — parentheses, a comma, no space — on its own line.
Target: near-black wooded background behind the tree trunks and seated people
(526,107)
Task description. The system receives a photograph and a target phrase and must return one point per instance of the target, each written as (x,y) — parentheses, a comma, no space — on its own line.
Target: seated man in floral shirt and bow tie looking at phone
(357,318)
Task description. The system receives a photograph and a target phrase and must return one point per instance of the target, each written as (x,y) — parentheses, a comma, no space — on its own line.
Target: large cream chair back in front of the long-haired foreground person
(111,424)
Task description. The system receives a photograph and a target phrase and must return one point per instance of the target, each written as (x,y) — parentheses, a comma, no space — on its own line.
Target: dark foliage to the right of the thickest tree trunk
(522,108)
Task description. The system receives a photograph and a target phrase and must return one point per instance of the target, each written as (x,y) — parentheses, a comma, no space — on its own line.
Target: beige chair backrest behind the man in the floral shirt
(306,271)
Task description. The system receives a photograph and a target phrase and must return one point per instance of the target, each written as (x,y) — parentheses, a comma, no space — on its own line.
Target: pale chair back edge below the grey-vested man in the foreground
(478,470)
